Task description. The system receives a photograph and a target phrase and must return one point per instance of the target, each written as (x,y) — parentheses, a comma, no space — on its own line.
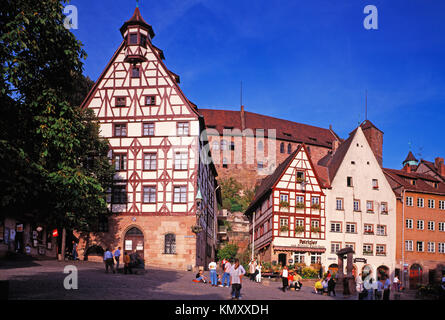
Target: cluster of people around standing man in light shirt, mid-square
(232,274)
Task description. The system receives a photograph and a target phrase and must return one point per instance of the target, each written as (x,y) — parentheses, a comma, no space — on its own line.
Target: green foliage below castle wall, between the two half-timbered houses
(234,197)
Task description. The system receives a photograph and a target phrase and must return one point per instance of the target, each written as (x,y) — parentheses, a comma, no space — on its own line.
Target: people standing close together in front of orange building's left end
(371,289)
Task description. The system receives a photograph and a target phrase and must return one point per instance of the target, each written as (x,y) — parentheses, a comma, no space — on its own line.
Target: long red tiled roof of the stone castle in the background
(285,129)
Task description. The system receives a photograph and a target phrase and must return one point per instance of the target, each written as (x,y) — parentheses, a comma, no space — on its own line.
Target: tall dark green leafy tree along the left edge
(54,166)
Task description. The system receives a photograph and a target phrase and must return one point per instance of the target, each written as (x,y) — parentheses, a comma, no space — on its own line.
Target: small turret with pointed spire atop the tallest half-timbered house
(137,33)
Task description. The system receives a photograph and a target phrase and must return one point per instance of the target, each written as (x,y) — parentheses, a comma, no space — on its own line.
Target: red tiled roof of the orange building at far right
(399,179)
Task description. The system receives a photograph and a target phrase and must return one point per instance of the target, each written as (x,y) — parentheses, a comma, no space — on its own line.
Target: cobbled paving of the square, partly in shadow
(44,280)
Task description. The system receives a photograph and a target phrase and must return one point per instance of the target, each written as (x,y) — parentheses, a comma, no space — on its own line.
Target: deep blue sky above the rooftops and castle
(306,61)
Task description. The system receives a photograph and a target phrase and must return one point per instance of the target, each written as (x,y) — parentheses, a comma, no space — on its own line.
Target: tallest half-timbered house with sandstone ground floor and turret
(154,135)
